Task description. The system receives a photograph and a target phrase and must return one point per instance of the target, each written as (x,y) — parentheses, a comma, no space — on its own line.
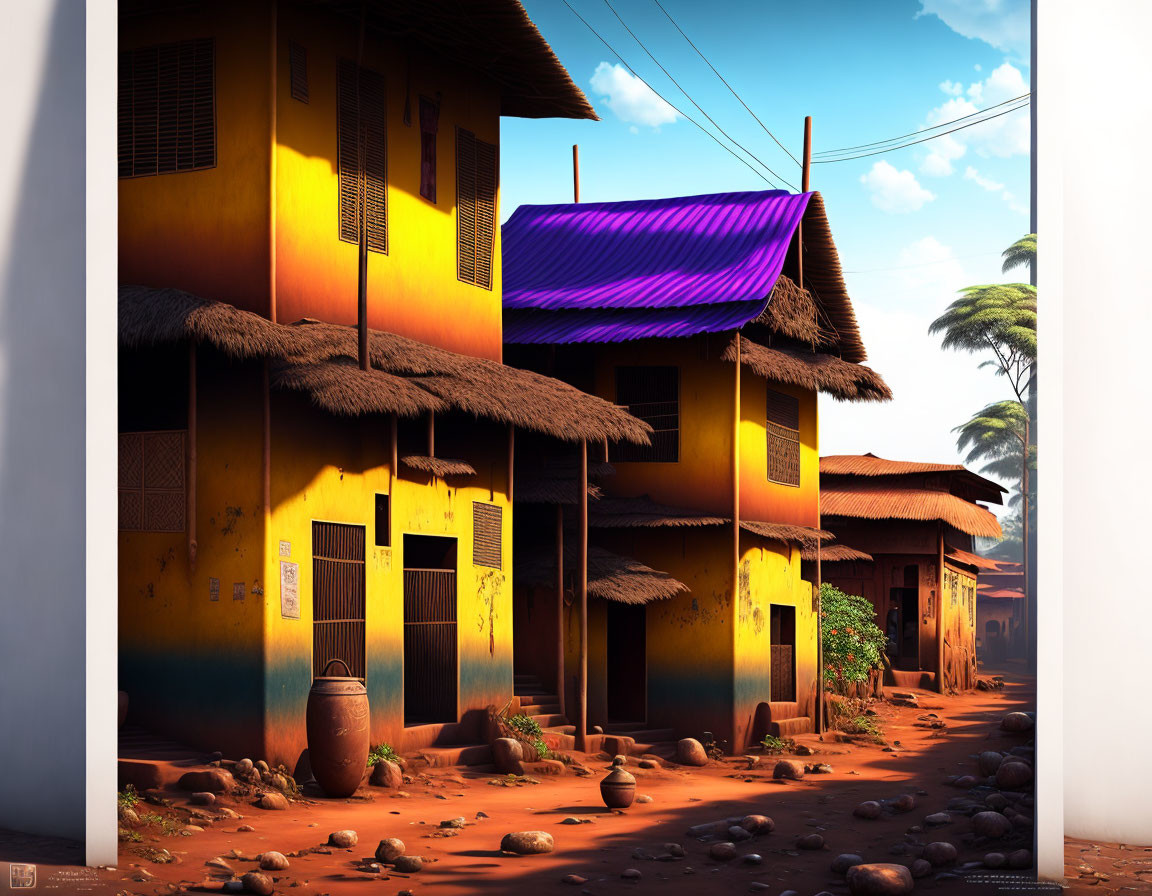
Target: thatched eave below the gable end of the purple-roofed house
(842,379)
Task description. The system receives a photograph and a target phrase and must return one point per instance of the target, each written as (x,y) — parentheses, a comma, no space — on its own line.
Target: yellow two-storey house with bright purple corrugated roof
(687,313)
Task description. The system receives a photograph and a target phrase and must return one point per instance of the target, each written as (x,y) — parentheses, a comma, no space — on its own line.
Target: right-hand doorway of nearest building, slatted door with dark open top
(430,631)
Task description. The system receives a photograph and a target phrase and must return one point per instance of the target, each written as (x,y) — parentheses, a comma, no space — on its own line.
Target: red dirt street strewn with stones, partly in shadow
(471,863)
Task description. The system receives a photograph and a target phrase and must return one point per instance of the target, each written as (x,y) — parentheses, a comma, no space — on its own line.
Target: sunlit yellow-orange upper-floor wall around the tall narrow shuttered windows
(414,290)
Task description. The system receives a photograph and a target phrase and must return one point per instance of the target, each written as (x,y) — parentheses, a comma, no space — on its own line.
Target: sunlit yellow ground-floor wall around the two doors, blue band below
(330,469)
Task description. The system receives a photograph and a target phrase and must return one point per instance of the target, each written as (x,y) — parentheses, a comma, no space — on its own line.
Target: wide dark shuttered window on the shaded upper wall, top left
(166,109)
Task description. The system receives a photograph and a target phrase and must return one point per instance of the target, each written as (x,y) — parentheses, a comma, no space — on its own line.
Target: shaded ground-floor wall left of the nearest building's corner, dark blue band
(193,666)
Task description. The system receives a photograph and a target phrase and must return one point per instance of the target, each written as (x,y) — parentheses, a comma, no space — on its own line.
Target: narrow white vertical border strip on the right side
(1050,667)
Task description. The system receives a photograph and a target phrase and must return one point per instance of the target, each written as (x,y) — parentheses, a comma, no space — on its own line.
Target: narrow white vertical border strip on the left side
(101,455)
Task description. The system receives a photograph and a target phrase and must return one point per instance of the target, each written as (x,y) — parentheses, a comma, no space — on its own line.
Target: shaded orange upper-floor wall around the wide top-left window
(207,231)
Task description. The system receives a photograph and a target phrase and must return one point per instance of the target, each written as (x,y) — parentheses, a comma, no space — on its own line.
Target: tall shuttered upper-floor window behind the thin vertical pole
(362,156)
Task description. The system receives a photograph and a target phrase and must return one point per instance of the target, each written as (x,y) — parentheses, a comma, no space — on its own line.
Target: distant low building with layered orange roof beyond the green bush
(918,522)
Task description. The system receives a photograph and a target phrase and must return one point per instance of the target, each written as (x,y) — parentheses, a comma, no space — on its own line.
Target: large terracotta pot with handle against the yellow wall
(338,732)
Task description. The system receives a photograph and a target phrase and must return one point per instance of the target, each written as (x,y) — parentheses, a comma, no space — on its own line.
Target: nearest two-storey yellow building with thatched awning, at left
(282,506)
